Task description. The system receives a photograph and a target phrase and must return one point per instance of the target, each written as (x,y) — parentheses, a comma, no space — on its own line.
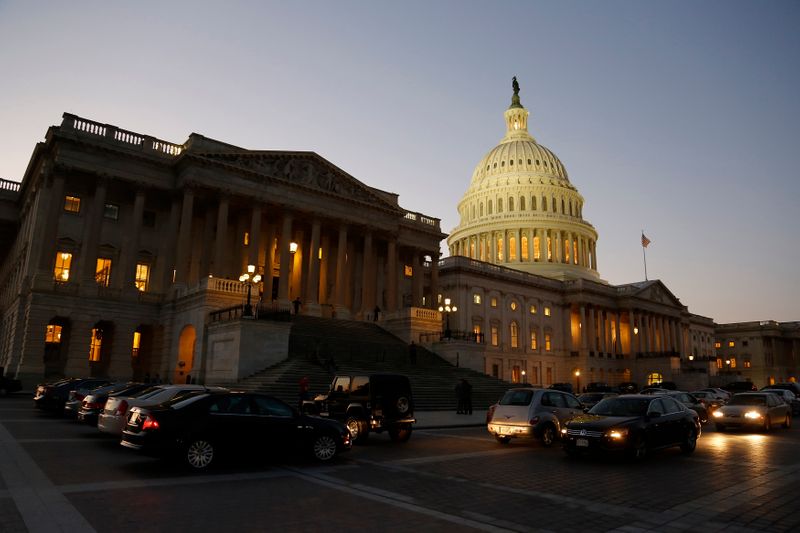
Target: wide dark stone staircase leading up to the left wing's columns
(319,348)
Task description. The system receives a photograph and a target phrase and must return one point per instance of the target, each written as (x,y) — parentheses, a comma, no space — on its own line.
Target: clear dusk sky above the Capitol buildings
(678,118)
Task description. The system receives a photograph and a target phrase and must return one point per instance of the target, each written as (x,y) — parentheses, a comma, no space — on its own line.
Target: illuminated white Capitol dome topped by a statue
(521,211)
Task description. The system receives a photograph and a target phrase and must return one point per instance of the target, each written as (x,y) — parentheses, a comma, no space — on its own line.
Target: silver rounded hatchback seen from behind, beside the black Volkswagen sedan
(532,413)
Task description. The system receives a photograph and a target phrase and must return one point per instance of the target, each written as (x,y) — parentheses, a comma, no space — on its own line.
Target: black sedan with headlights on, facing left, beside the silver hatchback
(633,424)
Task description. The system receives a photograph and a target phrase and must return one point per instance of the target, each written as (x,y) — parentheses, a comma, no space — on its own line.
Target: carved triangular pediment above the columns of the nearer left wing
(304,169)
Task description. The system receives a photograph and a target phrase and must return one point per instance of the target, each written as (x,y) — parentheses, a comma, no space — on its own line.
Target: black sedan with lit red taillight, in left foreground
(204,426)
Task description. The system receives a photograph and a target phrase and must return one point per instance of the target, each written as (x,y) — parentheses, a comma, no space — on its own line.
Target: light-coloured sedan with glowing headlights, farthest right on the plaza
(753,410)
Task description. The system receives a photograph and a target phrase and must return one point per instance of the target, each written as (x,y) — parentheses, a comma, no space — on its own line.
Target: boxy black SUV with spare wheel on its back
(374,402)
